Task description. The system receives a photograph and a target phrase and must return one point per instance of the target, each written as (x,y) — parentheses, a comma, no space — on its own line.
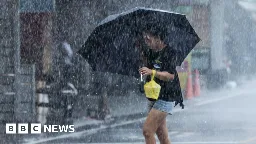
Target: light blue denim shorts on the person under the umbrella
(161,105)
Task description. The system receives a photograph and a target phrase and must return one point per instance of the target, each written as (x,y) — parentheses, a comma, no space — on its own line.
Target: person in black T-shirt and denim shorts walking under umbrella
(160,62)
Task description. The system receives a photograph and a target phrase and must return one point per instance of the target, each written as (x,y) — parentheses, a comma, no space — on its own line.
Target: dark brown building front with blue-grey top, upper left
(36,33)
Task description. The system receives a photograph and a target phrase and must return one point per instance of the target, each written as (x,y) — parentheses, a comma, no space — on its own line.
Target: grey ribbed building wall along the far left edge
(11,108)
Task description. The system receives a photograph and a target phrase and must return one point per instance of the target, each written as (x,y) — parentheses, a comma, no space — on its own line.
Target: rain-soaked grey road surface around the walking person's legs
(223,120)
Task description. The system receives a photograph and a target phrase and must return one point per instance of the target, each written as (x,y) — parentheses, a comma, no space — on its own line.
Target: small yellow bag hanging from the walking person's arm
(152,89)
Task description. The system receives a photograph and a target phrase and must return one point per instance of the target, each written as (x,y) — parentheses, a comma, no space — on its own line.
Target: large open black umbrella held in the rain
(111,46)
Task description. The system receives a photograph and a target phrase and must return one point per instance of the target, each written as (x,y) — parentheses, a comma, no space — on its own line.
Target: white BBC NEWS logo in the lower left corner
(36,128)
